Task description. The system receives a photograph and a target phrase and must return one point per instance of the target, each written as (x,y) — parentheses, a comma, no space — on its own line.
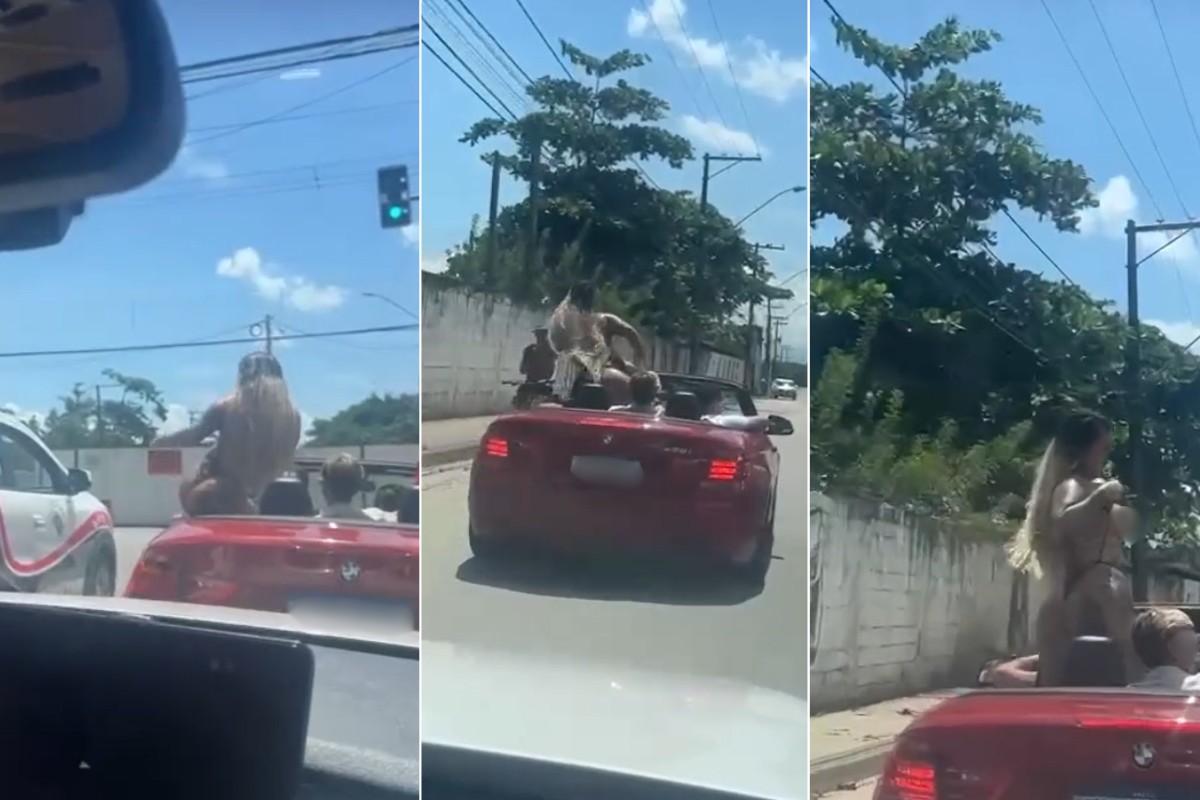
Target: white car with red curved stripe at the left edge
(56,536)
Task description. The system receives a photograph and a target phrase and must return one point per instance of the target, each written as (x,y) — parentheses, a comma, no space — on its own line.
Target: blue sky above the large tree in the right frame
(1036,69)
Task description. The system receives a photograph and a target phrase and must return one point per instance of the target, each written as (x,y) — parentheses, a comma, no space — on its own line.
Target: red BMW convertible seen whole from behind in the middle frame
(579,478)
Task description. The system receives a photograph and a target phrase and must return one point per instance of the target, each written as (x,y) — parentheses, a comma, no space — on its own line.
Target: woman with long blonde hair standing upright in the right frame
(1073,539)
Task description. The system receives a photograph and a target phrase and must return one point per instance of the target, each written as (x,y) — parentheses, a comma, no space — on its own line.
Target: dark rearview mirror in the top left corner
(91,105)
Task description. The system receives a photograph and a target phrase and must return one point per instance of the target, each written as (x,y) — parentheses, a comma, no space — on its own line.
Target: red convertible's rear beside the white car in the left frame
(289,563)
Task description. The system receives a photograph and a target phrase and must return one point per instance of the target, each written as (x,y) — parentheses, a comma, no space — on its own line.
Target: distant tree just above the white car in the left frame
(128,422)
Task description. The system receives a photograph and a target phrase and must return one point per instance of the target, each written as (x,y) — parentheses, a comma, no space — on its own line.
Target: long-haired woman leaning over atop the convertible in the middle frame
(583,338)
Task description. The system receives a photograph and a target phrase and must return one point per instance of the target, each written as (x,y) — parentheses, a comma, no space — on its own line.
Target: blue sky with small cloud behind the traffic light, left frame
(289,208)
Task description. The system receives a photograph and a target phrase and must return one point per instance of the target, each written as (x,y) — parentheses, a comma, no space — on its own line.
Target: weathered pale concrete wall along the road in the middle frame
(471,344)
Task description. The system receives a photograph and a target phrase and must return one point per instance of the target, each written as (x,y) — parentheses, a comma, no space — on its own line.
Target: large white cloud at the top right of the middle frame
(758,68)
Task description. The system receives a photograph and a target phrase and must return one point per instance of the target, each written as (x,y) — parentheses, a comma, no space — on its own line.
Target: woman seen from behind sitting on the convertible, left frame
(259,431)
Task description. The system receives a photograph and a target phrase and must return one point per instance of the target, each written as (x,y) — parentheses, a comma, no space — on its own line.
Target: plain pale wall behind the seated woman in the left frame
(137,498)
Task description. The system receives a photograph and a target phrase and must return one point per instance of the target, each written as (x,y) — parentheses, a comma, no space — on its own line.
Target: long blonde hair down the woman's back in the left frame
(269,423)
